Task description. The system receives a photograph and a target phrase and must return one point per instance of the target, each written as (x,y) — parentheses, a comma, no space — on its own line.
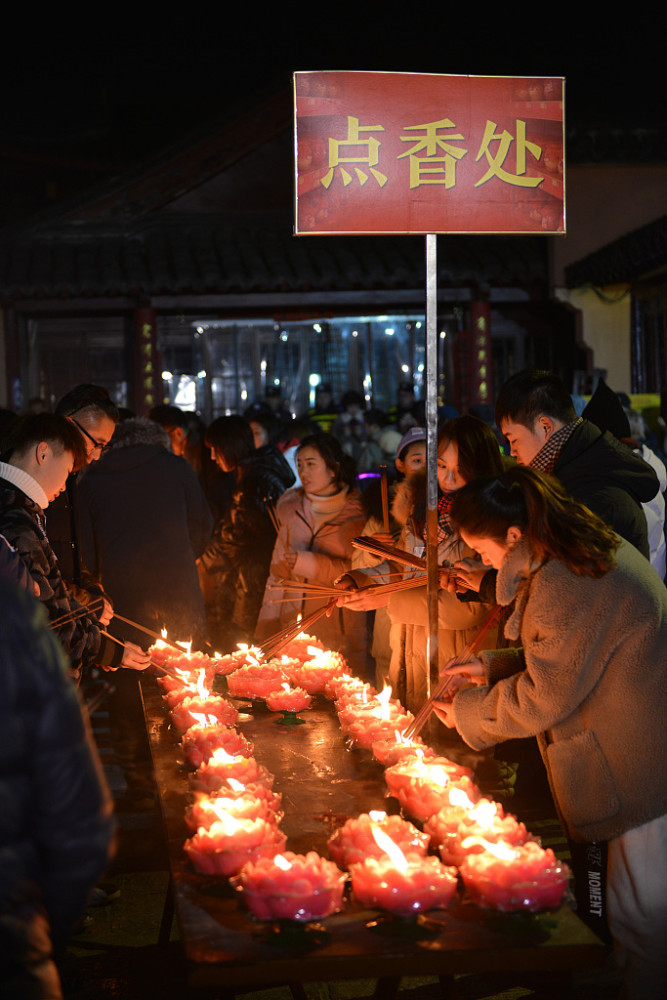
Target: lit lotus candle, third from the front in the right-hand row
(422,786)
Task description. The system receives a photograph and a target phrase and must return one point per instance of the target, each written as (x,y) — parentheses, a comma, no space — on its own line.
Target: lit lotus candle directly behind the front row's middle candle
(354,841)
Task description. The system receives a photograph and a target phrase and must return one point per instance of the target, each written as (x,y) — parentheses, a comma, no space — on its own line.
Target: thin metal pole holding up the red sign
(431,459)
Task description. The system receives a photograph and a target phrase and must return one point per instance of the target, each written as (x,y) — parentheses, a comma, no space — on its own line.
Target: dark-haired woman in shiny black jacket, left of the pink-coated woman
(234,567)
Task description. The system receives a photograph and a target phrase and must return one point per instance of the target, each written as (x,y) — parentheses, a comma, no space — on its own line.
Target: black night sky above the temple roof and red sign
(87,97)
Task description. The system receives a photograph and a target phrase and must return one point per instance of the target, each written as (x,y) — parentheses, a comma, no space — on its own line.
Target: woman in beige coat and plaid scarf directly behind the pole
(467,448)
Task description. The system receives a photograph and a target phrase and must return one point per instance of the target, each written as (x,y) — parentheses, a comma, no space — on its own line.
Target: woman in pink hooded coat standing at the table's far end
(318,521)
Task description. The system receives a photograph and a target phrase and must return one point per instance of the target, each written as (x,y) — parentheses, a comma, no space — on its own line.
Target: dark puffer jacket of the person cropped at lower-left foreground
(56,828)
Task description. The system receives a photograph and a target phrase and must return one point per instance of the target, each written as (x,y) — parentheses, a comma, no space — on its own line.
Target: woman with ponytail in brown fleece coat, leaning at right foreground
(589,680)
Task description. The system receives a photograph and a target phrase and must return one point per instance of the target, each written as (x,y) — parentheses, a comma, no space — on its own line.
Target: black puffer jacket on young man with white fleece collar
(22,524)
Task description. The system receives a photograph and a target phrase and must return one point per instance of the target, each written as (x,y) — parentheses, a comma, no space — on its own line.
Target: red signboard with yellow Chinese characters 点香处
(420,153)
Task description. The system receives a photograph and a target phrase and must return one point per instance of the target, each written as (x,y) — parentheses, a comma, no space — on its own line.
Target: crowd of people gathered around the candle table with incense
(119,525)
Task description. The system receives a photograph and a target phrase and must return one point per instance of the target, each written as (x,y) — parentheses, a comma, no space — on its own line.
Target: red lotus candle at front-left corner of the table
(292,887)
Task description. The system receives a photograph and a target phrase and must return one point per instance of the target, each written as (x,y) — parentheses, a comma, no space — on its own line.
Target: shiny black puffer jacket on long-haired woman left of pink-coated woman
(238,557)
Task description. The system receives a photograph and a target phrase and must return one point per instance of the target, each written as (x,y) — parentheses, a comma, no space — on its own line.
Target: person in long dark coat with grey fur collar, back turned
(144,520)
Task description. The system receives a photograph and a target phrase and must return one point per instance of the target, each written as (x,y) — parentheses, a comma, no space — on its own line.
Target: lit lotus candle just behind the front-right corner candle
(467,822)
